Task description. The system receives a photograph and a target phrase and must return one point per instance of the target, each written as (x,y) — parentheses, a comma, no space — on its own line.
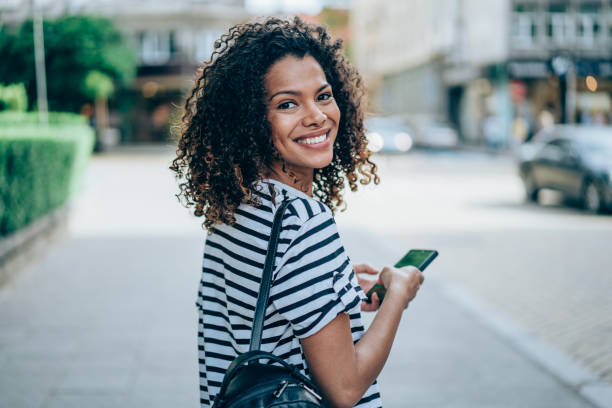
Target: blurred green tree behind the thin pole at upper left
(75,47)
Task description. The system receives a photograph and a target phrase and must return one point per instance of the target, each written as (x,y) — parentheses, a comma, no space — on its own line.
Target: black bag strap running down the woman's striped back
(266,279)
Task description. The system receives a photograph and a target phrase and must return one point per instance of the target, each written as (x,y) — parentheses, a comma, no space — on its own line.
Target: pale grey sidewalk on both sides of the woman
(106,318)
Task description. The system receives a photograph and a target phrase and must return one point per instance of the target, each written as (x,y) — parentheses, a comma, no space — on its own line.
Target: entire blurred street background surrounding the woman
(490,123)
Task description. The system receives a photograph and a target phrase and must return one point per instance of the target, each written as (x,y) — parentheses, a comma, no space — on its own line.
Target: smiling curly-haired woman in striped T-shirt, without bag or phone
(276,115)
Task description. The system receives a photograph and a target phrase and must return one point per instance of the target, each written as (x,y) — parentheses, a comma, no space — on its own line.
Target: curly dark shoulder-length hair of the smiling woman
(225,142)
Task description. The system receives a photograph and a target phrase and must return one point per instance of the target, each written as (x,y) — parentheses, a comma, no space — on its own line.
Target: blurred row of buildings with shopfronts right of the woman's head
(493,69)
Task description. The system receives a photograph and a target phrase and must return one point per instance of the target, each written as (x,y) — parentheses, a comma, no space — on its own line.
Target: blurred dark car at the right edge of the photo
(575,160)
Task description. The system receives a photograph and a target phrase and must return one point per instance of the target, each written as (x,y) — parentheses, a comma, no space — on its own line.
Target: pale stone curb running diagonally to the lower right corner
(588,384)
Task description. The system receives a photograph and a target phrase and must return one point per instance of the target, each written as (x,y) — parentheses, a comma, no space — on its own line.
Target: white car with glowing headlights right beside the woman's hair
(387,134)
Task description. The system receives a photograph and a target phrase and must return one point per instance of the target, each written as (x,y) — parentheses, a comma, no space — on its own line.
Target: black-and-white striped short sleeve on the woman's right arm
(315,281)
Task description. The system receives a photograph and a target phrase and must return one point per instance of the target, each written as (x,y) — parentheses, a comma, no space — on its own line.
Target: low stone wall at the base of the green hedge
(23,245)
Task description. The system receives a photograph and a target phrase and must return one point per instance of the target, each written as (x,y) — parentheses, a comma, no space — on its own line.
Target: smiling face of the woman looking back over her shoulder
(303,115)
